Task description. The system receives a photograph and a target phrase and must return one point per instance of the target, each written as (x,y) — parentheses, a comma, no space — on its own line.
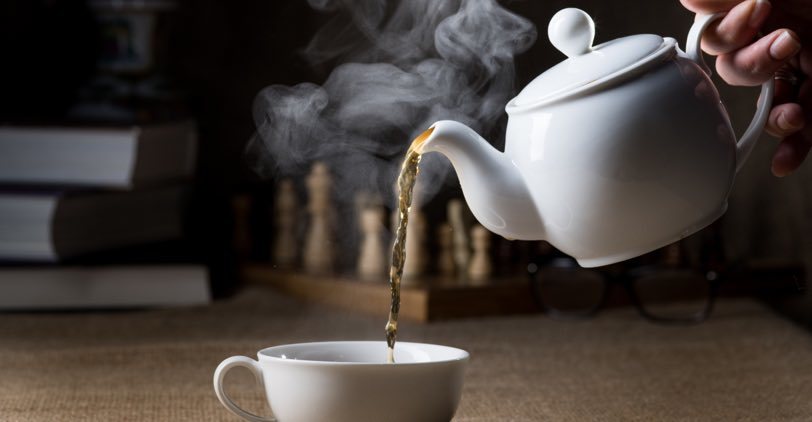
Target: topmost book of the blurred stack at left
(102,157)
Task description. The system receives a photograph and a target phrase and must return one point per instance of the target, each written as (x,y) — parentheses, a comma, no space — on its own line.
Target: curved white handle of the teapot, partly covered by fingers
(694,51)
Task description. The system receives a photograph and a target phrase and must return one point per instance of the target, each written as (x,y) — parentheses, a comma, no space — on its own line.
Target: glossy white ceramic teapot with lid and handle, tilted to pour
(621,149)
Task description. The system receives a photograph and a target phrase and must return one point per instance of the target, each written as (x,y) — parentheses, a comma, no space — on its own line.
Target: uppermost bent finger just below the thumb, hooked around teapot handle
(737,28)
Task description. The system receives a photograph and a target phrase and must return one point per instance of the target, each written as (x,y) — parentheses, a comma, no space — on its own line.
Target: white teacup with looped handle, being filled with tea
(350,381)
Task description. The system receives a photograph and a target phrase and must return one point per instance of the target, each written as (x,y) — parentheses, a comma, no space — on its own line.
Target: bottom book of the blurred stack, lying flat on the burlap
(103,286)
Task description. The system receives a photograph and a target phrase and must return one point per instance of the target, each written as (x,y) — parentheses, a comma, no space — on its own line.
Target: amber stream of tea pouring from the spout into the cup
(406,181)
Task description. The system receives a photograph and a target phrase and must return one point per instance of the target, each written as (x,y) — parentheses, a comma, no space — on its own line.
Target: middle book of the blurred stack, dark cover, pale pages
(50,226)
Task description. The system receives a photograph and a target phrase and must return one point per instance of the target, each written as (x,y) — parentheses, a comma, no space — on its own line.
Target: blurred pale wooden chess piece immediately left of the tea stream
(371,258)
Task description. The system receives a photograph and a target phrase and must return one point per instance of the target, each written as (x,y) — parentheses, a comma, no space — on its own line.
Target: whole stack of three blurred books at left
(76,202)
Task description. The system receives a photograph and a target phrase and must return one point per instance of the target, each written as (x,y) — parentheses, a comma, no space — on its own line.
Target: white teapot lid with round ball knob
(572,32)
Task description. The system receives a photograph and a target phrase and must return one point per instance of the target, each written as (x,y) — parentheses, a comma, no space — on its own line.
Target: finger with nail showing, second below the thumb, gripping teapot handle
(756,63)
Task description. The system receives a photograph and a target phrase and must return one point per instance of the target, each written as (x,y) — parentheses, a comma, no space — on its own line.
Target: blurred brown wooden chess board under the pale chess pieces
(425,300)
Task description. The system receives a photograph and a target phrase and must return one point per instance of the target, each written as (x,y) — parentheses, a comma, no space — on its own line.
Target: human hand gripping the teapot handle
(745,59)
